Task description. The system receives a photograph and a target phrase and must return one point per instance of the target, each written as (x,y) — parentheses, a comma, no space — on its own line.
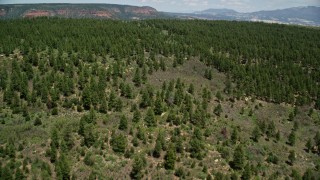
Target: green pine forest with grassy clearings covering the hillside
(158,99)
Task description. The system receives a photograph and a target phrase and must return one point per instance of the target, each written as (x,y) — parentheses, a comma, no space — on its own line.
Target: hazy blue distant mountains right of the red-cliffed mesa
(309,15)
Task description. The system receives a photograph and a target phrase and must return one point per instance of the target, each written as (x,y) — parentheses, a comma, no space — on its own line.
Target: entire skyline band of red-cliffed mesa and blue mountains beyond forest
(309,15)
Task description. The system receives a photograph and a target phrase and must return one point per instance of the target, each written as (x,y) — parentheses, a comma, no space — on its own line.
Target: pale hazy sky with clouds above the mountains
(191,5)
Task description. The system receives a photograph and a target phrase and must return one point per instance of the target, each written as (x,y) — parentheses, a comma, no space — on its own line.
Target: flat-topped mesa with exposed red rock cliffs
(105,11)
